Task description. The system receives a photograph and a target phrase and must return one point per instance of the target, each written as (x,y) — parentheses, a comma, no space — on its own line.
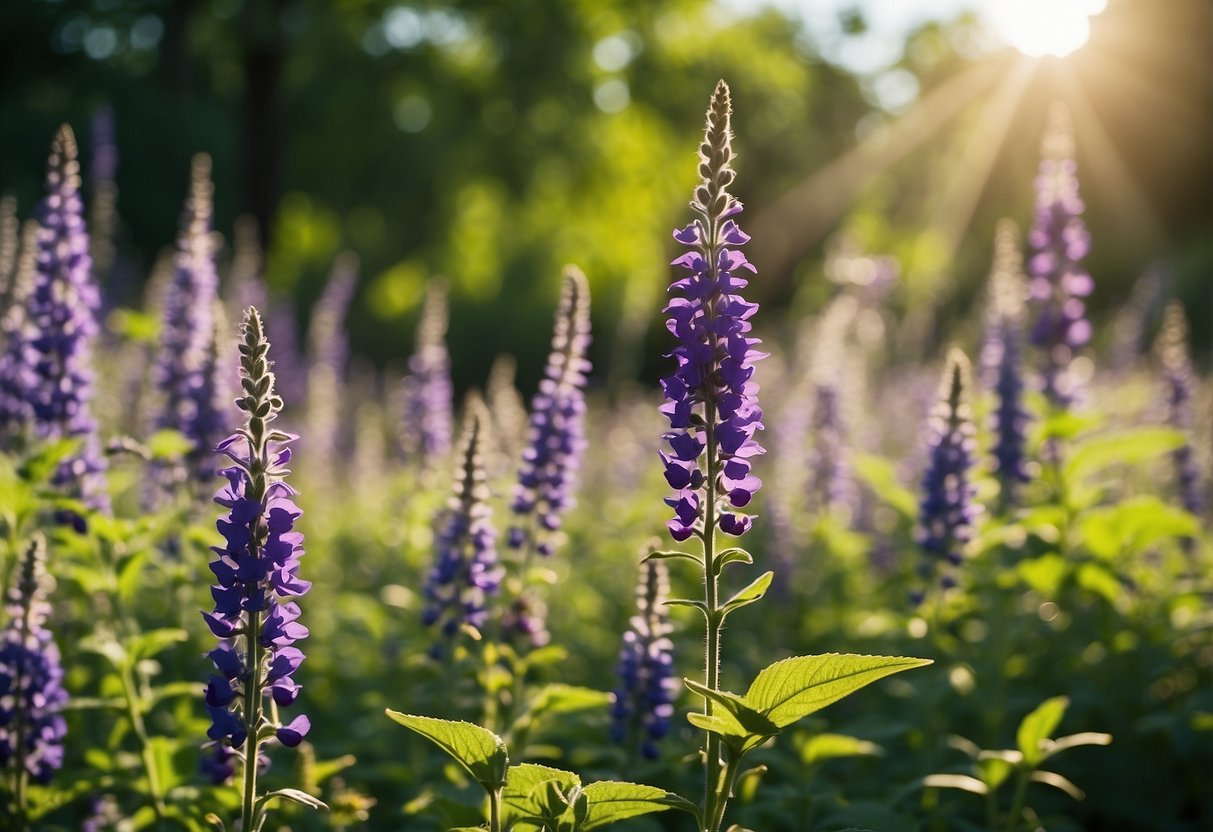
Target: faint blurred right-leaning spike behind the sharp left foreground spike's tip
(329,351)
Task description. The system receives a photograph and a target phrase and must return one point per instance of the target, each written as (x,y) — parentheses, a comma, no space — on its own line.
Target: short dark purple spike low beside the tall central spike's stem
(643,709)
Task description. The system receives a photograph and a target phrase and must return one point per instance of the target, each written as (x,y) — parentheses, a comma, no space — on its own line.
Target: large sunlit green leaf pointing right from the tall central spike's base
(795,688)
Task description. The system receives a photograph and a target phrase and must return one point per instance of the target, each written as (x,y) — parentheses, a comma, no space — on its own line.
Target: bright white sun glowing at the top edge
(1045,27)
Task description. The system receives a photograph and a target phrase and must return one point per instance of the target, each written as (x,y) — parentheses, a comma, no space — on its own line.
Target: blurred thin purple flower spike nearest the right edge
(1180,384)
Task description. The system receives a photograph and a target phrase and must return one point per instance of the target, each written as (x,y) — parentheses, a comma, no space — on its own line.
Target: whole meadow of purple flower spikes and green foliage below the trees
(252,585)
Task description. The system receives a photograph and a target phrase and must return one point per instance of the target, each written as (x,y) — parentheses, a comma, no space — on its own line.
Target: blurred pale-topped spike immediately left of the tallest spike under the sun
(1003,363)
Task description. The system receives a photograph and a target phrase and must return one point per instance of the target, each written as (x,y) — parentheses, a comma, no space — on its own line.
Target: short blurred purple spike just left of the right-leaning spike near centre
(466,572)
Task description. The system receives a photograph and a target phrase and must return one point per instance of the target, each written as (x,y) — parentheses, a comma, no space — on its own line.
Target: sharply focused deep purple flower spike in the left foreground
(257,571)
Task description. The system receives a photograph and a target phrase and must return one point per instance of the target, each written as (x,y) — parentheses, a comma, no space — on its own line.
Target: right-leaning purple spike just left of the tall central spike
(556,442)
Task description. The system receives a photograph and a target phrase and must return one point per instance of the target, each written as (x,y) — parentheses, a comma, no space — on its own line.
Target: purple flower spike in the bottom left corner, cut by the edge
(32,696)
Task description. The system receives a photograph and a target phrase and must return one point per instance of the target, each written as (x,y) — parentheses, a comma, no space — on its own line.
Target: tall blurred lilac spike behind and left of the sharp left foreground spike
(189,327)
